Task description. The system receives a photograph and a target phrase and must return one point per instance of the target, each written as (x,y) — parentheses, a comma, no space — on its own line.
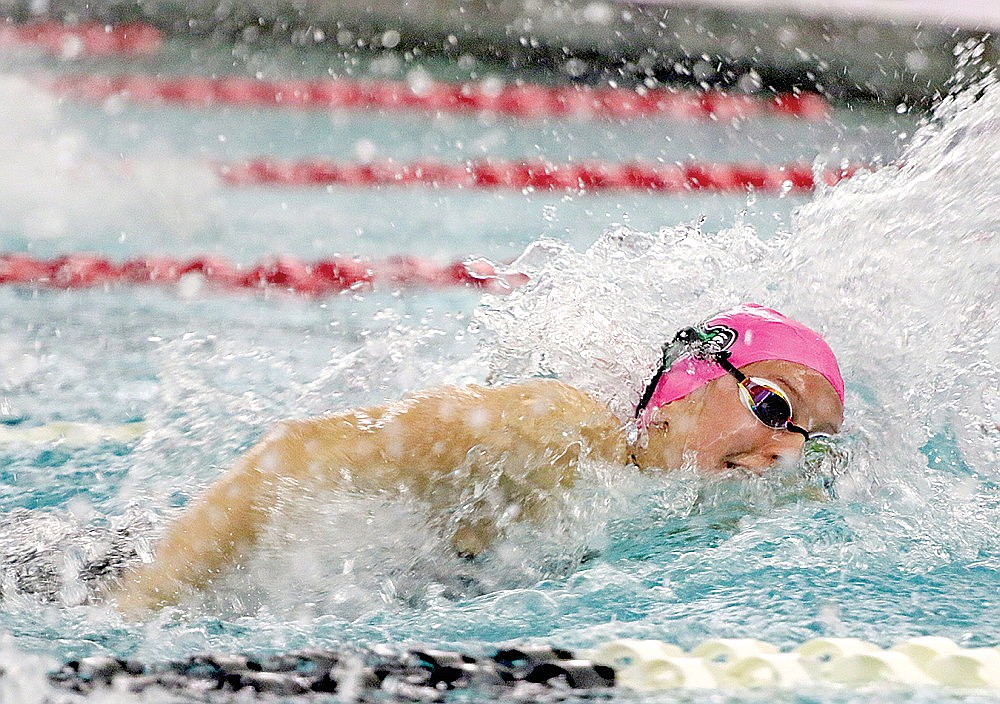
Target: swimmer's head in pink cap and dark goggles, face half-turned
(744,388)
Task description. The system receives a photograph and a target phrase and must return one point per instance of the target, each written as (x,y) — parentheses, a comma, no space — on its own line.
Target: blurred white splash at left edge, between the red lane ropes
(54,183)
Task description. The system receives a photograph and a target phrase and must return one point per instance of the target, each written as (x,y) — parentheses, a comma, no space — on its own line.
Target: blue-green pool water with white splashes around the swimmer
(898,267)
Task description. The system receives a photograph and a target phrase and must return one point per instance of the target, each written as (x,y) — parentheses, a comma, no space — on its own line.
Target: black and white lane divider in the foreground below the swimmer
(637,665)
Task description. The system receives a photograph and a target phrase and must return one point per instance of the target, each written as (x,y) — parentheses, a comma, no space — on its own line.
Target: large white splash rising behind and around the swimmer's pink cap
(898,268)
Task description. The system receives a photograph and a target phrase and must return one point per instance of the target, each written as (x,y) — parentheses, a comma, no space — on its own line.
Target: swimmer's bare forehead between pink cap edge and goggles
(815,404)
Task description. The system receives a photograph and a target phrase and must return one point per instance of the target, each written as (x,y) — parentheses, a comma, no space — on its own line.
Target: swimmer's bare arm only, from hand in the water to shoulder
(223,525)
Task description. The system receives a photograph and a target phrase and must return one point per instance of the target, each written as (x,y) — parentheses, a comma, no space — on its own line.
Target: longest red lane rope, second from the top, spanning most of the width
(523,101)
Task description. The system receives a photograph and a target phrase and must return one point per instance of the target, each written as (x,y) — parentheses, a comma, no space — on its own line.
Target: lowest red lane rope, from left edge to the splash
(283,273)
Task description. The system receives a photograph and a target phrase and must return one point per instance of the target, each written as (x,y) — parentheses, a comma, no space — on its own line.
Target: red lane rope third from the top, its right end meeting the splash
(537,176)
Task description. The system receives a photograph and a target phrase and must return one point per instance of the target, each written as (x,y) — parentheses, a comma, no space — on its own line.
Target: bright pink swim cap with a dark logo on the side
(750,333)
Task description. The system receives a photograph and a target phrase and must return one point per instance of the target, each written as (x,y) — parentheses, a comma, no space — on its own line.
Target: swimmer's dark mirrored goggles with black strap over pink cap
(763,398)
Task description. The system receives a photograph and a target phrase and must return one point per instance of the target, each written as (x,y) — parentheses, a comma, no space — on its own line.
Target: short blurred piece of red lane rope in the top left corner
(86,39)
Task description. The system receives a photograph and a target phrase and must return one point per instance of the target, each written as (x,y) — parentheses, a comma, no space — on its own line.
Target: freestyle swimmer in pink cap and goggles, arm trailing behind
(743,391)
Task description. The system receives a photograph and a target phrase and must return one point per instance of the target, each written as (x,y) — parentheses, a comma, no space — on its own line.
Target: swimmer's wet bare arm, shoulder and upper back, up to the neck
(412,447)
